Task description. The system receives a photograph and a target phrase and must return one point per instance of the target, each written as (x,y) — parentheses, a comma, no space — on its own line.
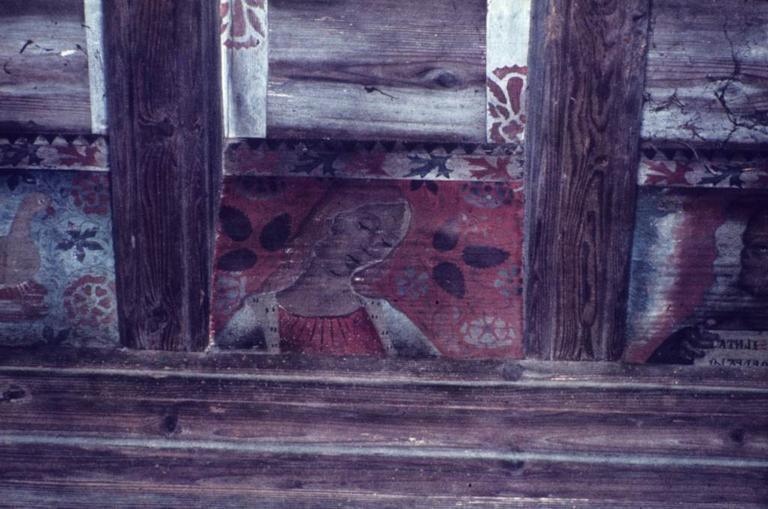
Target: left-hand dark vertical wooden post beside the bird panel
(163,92)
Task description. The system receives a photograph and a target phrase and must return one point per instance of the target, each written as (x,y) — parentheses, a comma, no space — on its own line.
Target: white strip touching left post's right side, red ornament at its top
(244,67)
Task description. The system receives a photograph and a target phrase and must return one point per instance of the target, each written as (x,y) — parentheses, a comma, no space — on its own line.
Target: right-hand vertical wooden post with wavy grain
(587,69)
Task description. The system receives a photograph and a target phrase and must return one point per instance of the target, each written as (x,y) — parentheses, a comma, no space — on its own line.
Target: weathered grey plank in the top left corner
(44,75)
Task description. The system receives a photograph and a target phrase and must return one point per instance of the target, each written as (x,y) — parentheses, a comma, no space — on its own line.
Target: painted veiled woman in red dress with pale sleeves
(310,305)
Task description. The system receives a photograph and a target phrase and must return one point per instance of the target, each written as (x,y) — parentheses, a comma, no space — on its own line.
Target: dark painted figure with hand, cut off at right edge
(686,345)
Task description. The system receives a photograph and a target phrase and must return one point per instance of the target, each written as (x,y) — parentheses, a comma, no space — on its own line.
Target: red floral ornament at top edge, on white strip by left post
(242,23)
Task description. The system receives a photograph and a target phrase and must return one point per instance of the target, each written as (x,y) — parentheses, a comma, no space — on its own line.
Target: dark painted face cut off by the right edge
(754,257)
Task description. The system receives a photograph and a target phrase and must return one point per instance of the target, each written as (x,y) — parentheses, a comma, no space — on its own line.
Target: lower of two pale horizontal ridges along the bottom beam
(416,452)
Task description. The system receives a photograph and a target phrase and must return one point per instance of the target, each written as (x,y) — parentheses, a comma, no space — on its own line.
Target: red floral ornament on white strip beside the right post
(506,103)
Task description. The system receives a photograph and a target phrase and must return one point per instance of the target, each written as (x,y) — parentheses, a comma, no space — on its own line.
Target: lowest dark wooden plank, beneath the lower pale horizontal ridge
(223,468)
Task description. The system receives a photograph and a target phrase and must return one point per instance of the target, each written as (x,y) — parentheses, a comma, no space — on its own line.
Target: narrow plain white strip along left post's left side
(94,29)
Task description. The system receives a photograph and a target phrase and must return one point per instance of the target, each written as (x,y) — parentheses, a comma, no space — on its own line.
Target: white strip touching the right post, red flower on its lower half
(507,34)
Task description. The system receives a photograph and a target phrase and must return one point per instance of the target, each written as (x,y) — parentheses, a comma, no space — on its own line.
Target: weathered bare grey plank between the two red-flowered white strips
(392,70)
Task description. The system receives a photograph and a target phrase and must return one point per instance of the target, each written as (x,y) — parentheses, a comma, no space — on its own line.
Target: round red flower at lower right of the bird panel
(90,301)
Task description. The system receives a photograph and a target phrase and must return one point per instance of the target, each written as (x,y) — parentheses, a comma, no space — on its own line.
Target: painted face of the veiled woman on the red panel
(361,237)
